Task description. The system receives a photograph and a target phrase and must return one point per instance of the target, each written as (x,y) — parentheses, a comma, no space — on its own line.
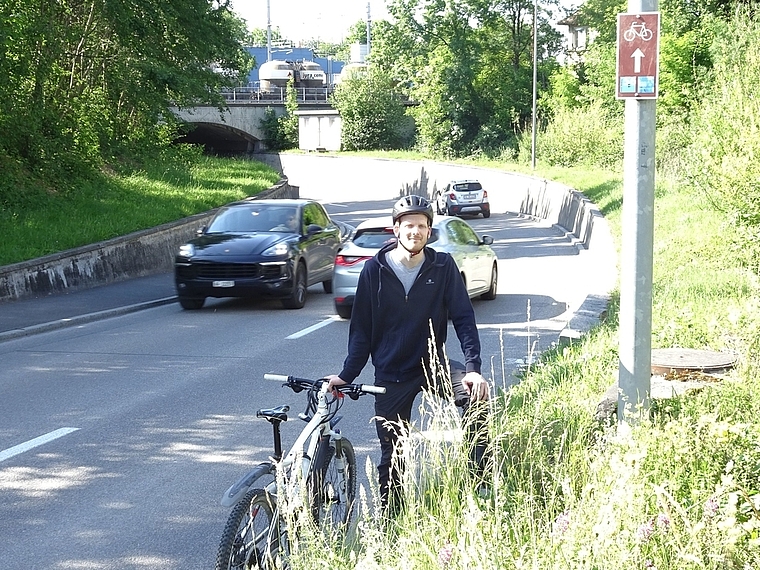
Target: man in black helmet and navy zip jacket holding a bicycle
(404,291)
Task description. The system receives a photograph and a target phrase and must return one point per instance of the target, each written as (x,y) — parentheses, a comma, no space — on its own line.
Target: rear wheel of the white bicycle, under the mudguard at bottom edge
(251,537)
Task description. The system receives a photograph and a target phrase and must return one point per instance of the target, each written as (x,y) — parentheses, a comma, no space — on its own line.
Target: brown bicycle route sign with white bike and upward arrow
(638,55)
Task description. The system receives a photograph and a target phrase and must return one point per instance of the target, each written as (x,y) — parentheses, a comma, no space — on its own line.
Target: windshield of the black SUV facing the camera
(255,218)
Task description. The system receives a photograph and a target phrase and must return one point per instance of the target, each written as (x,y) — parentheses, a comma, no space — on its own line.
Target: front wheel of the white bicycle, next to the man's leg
(325,481)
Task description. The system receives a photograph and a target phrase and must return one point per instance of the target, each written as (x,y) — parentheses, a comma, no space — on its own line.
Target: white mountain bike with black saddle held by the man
(255,534)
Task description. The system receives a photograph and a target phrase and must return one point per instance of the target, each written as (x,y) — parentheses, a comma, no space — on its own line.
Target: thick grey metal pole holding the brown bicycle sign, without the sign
(635,365)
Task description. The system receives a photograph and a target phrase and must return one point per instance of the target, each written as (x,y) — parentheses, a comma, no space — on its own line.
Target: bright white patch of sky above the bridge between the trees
(299,20)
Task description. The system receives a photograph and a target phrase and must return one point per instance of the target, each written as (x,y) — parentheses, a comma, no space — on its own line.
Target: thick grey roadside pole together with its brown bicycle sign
(638,47)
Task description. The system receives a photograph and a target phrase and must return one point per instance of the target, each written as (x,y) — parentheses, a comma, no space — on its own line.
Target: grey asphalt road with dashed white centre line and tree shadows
(160,405)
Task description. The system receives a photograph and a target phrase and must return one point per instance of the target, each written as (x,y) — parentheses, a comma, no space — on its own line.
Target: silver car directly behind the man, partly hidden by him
(473,255)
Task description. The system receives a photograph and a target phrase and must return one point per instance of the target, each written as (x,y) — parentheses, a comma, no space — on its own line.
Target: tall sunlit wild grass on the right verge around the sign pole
(678,491)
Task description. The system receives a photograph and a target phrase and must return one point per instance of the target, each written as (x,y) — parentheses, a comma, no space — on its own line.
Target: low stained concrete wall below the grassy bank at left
(134,255)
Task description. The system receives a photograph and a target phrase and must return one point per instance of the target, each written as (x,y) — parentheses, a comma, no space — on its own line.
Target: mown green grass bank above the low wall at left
(115,204)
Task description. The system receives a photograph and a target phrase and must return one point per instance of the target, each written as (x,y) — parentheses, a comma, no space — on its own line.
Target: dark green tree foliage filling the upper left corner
(83,83)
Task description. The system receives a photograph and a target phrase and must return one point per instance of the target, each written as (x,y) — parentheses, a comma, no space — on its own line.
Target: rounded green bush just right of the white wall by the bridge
(372,113)
